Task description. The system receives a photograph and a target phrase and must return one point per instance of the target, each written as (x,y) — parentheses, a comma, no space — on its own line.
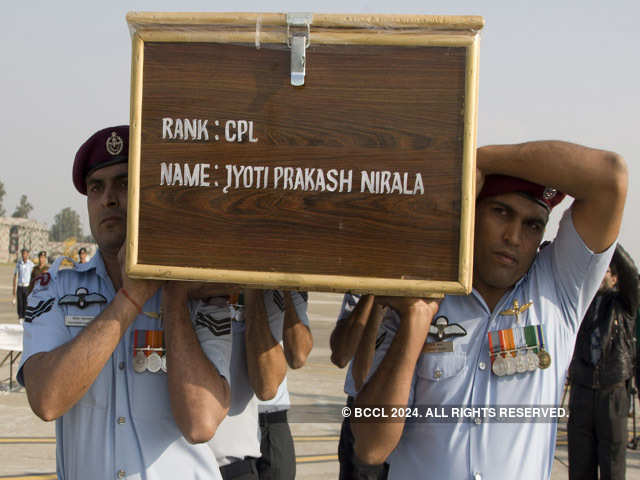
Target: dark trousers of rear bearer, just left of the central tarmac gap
(278,461)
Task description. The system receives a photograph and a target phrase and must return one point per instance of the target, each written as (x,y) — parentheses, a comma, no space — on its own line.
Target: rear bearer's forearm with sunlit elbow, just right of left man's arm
(266,362)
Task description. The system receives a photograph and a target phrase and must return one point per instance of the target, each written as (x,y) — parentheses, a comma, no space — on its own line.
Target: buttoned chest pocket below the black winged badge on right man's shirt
(433,368)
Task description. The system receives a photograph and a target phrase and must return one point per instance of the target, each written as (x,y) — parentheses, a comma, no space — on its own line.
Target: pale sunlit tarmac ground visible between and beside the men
(27,444)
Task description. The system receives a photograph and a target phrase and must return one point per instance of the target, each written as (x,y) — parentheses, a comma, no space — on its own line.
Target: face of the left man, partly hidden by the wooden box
(107,205)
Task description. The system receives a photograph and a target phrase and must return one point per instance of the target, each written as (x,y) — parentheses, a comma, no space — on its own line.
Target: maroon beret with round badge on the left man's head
(105,147)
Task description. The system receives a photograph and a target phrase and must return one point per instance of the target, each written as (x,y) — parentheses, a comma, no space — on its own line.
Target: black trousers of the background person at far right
(598,432)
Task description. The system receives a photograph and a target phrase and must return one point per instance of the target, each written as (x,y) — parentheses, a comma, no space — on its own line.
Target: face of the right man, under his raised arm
(509,229)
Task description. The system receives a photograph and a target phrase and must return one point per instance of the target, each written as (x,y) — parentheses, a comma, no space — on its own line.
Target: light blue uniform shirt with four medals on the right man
(561,283)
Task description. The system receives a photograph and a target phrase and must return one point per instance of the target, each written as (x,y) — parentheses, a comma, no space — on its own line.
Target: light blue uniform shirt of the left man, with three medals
(123,426)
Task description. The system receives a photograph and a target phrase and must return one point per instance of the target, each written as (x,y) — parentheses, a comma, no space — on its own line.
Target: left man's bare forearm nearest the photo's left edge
(56,380)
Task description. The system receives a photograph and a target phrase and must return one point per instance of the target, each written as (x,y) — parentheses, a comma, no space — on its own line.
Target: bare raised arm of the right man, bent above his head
(596,179)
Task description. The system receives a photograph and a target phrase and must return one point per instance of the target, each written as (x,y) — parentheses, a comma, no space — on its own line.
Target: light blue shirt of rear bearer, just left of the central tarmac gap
(274,303)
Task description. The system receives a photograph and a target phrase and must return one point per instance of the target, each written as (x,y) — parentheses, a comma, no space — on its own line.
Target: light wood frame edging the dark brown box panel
(409,30)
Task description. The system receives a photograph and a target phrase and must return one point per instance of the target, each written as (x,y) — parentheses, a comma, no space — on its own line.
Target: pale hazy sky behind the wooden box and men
(566,72)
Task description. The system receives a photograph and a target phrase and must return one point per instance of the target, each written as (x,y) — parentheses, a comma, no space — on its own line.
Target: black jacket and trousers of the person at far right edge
(600,374)
